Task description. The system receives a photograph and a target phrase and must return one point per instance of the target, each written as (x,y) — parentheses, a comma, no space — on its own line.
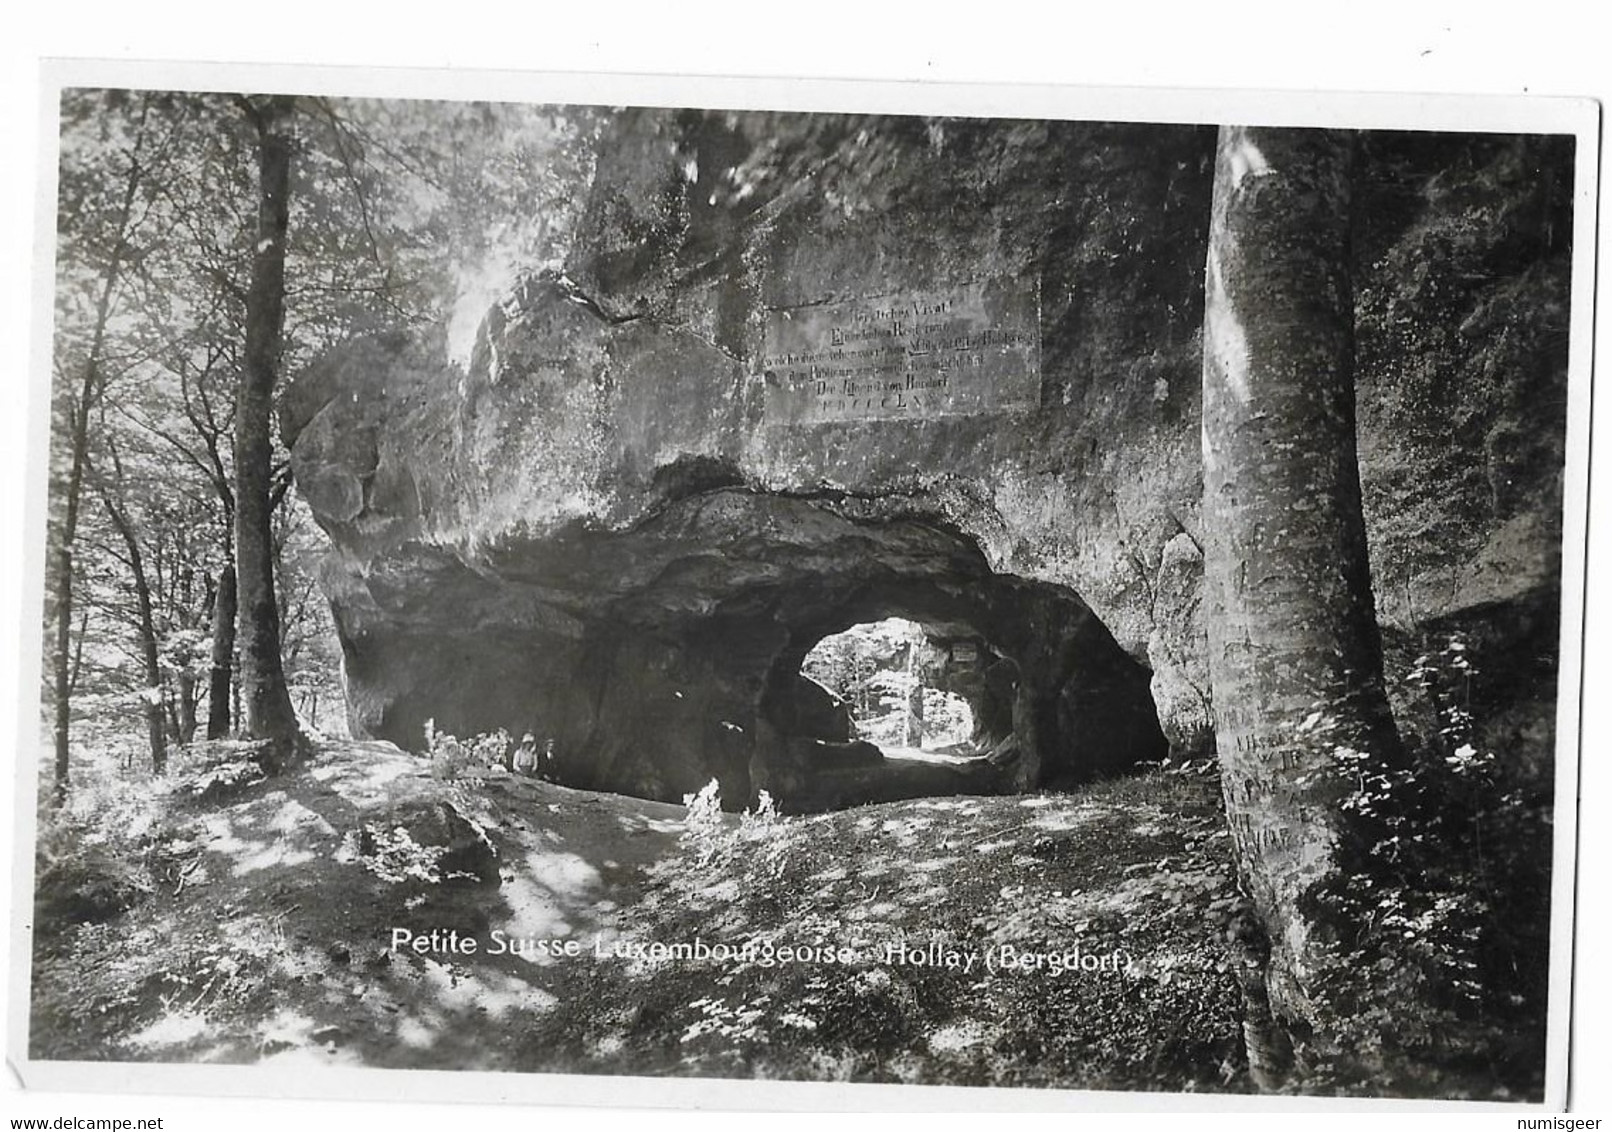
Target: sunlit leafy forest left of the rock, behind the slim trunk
(402,217)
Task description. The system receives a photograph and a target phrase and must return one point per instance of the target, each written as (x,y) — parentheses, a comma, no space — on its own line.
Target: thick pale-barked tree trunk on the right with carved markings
(1294,641)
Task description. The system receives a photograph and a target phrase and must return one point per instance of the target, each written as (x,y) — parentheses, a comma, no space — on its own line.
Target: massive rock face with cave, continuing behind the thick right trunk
(636,512)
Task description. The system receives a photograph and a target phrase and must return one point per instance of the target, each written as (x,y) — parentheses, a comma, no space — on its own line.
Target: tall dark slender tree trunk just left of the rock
(267,705)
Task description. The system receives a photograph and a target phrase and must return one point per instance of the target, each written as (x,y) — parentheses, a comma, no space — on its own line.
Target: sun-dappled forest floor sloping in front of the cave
(281,943)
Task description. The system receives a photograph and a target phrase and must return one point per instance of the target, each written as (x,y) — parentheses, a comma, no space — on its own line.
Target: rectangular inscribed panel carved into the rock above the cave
(966,349)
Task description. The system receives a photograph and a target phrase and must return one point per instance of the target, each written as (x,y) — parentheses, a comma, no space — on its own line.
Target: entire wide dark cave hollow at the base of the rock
(700,646)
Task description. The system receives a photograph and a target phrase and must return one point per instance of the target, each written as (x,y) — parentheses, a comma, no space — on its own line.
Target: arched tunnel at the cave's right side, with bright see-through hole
(939,676)
